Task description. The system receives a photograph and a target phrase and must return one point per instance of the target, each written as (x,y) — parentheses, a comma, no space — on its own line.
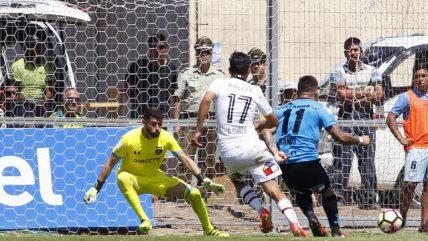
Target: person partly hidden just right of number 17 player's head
(258,68)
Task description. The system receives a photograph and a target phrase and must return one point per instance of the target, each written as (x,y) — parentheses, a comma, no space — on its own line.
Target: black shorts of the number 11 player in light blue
(305,177)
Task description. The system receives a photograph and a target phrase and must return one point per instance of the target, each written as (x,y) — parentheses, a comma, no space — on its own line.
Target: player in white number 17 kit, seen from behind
(236,105)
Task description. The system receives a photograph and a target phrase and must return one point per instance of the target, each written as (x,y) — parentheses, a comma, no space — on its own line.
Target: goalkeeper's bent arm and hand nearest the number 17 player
(202,180)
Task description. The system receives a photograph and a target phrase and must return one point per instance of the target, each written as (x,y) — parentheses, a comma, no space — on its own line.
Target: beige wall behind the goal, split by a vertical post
(311,33)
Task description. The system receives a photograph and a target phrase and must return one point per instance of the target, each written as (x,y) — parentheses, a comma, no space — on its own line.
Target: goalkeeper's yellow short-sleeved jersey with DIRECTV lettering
(141,155)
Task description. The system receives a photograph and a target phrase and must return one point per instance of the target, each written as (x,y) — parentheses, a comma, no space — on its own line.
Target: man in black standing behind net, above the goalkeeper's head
(151,80)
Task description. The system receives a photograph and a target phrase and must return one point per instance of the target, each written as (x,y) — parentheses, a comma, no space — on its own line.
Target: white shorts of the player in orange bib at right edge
(416,166)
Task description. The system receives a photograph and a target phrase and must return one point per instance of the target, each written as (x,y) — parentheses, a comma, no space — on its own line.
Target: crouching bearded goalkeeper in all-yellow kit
(142,151)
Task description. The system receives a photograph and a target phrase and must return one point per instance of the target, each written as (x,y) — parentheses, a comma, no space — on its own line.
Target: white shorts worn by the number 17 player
(254,159)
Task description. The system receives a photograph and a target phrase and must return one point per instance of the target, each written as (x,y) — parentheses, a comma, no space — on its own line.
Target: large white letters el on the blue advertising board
(27,178)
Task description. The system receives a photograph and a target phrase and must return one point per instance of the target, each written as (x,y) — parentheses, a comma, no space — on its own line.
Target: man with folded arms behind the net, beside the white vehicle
(358,87)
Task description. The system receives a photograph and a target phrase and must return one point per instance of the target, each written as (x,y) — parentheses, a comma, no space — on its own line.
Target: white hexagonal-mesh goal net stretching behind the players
(112,59)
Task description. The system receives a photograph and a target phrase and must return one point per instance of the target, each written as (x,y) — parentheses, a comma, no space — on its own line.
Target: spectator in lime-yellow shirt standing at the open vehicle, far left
(34,76)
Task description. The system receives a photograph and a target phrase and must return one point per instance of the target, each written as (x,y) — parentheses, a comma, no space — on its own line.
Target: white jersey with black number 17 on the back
(236,106)
